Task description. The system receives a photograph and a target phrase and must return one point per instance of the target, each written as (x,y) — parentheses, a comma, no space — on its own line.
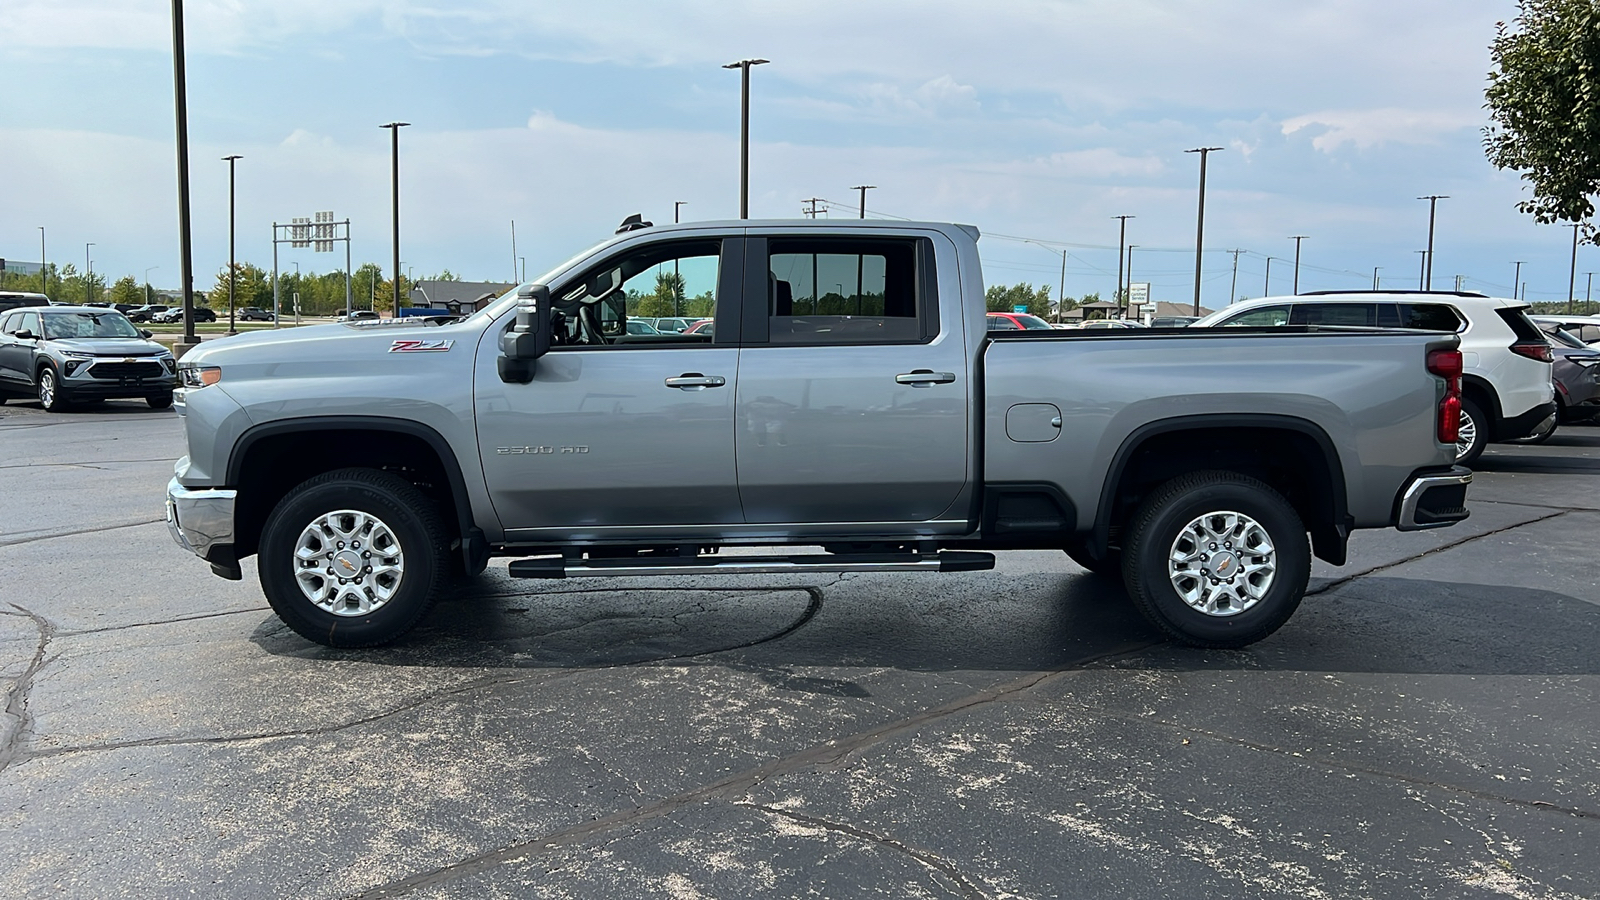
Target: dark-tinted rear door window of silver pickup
(847,292)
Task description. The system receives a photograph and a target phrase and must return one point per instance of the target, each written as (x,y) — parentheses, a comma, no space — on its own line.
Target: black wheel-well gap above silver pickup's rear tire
(1148,457)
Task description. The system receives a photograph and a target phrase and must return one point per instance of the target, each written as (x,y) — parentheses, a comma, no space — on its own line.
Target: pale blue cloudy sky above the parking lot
(1031,119)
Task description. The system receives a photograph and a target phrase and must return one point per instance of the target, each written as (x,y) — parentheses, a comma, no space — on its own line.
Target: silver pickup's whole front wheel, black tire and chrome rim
(353,558)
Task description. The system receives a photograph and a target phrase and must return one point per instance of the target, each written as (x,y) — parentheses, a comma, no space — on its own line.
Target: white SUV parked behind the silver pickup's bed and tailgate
(1506,382)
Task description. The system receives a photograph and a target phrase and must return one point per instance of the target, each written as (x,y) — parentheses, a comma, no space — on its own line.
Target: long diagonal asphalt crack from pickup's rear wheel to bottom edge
(818,757)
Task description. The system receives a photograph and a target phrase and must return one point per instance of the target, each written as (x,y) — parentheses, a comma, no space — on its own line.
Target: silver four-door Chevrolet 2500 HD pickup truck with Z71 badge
(844,398)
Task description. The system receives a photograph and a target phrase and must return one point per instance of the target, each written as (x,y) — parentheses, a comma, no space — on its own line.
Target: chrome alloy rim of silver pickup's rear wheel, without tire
(1223,563)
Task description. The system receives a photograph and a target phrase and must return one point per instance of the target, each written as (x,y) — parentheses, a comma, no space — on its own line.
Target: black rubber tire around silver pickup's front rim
(409,515)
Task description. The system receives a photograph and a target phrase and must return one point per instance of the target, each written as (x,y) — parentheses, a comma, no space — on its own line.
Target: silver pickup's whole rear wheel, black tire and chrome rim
(1217,560)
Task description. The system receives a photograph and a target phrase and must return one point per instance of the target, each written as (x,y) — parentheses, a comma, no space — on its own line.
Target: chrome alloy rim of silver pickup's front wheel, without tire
(348,563)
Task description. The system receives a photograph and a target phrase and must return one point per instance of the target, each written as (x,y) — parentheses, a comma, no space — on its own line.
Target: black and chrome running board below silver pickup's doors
(564,568)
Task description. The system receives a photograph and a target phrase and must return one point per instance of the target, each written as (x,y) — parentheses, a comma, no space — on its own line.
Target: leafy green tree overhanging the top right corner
(1545,106)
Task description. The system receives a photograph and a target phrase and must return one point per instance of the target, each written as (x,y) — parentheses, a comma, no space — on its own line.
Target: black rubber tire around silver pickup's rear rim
(1156,529)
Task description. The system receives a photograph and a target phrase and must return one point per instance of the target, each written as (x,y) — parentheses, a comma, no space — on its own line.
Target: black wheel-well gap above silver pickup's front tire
(271,459)
